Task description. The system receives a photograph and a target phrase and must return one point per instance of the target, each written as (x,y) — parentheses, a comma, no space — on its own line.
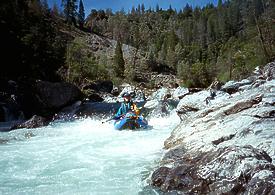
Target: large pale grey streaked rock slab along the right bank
(226,147)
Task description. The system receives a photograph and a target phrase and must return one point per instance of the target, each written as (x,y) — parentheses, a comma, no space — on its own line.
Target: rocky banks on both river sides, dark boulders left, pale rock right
(222,146)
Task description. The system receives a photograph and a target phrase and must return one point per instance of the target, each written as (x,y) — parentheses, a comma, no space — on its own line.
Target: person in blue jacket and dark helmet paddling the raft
(127,105)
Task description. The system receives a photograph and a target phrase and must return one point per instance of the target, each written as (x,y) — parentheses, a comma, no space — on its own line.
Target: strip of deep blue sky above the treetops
(127,5)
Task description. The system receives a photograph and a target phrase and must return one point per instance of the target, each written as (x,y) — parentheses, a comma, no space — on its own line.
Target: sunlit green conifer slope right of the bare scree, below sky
(226,41)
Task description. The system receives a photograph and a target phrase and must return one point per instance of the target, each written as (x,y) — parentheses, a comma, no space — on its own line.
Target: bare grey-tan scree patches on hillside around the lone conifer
(104,48)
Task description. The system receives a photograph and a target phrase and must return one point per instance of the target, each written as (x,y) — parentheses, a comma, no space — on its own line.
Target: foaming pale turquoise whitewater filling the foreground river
(81,157)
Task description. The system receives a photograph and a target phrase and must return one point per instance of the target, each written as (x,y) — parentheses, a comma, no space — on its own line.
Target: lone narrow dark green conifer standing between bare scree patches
(119,64)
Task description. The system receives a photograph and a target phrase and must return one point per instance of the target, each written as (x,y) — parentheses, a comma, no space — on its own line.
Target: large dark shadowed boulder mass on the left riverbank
(20,101)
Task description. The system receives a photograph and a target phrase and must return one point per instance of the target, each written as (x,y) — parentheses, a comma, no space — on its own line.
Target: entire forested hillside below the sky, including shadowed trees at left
(197,44)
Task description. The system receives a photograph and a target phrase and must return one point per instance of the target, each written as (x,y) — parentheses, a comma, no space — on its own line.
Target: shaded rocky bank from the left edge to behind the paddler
(35,103)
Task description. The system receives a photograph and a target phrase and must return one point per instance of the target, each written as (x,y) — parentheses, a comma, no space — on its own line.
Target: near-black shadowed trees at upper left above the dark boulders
(34,46)
